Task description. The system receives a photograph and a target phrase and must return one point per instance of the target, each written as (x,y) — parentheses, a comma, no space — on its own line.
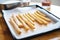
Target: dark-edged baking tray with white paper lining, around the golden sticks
(43,29)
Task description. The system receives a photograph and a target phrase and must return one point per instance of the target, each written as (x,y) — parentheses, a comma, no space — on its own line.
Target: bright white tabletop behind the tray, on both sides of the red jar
(54,9)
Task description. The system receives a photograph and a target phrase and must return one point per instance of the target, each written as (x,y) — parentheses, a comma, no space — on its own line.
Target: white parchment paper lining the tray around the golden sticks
(38,28)
